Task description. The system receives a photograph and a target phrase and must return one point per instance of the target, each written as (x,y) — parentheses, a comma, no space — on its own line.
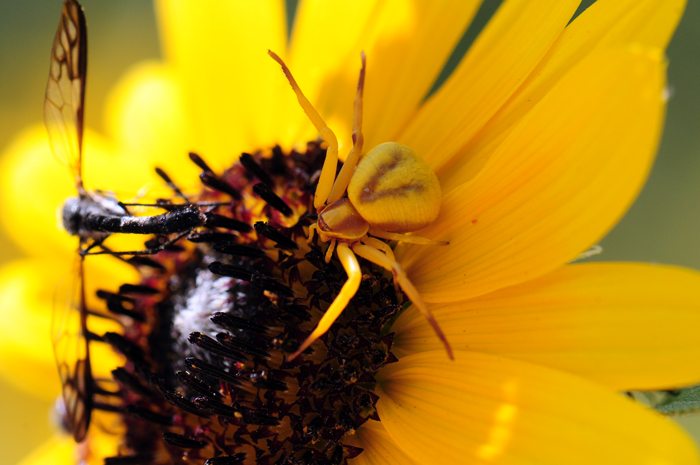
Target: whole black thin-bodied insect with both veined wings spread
(91,216)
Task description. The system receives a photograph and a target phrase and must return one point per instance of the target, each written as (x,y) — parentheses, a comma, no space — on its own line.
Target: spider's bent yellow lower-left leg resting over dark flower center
(352,268)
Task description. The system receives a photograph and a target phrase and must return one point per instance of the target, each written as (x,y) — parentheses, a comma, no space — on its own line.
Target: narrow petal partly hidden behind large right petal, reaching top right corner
(606,24)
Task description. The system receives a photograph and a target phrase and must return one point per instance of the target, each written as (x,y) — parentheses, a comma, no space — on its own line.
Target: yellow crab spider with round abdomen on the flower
(390,191)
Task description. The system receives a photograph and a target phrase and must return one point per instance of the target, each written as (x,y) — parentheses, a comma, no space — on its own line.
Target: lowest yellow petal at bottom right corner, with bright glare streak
(481,408)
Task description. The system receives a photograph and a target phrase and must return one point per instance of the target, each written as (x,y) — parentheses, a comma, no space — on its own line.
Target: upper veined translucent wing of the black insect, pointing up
(65,91)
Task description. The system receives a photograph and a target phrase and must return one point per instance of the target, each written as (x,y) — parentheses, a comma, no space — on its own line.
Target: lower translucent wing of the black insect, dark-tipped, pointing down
(71,351)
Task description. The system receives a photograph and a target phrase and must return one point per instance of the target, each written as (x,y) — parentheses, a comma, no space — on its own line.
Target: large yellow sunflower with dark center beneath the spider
(540,139)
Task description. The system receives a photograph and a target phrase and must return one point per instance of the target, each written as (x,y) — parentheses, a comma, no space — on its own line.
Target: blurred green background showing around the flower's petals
(663,225)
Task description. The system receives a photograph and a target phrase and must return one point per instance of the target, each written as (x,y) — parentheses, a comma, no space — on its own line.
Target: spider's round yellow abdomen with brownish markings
(394,189)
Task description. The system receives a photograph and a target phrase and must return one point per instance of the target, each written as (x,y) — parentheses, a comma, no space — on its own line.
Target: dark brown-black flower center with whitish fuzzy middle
(206,378)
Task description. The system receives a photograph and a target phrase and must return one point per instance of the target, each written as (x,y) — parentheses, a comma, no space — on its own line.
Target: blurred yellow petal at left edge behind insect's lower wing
(30,293)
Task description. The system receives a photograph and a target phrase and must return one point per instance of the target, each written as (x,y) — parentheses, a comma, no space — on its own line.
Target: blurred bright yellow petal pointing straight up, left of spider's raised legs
(220,50)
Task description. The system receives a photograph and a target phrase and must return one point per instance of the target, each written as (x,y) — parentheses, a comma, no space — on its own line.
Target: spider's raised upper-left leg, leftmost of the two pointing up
(325,183)
